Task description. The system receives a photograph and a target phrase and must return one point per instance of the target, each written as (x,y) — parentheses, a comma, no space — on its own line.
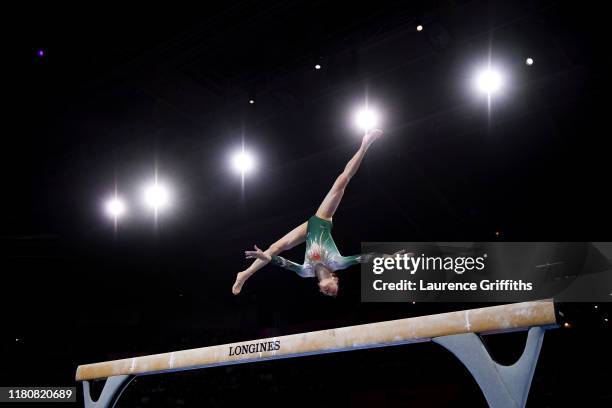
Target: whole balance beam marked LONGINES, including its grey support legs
(454,330)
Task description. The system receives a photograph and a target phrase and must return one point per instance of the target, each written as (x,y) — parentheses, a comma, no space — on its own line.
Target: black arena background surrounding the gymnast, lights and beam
(120,90)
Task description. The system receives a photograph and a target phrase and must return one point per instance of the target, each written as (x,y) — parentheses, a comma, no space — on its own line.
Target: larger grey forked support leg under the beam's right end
(502,386)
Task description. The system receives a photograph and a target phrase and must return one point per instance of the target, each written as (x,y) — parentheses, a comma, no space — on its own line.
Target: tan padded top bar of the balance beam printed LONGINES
(394,332)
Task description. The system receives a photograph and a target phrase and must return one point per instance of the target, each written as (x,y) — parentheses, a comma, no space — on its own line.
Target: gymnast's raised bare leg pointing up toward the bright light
(331,201)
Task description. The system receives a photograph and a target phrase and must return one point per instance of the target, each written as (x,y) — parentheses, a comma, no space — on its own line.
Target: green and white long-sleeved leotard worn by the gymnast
(320,249)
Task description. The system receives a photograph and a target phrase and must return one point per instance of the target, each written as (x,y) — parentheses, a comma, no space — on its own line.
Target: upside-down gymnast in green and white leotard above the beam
(322,256)
